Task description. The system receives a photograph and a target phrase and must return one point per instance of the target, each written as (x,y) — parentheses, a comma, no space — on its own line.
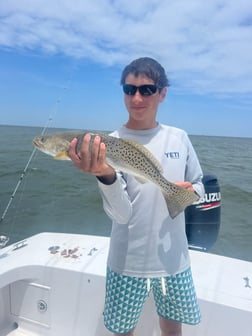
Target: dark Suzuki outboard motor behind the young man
(202,218)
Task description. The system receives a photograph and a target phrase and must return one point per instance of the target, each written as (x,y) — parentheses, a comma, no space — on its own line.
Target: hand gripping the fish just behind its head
(92,160)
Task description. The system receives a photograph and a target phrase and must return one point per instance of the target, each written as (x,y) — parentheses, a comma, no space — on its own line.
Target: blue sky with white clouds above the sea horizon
(61,62)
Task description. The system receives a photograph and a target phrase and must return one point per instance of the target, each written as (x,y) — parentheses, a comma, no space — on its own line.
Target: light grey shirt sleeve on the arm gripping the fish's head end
(116,201)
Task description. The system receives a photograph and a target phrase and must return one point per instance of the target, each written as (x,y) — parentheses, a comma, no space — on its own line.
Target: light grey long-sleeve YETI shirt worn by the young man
(145,240)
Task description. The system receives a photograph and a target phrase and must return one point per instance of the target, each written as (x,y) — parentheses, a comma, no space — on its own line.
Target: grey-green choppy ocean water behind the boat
(54,196)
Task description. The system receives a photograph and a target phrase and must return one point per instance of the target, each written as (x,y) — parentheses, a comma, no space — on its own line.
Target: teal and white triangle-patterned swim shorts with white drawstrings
(174,296)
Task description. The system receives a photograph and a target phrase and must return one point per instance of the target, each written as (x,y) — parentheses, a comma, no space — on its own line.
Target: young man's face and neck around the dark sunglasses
(142,109)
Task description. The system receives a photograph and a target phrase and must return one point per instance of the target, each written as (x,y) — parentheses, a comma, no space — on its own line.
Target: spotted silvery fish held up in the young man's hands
(126,156)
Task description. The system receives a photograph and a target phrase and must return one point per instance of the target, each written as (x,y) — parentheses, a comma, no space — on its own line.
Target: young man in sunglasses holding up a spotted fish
(148,249)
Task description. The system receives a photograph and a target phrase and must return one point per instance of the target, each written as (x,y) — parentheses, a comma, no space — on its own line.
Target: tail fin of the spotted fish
(180,202)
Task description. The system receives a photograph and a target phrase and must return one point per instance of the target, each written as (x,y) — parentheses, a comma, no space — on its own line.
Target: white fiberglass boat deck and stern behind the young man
(53,285)
